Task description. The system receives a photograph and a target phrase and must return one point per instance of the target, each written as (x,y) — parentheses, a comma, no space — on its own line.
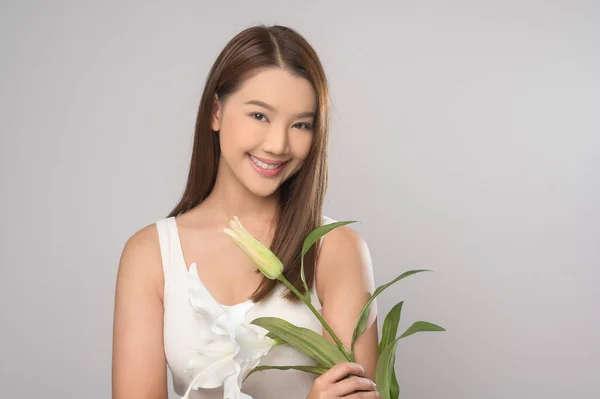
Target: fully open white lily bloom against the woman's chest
(226,347)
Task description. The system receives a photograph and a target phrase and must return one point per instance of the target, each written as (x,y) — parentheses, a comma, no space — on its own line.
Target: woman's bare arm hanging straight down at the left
(138,364)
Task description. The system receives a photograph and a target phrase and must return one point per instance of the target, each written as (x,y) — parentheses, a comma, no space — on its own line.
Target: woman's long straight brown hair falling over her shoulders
(301,196)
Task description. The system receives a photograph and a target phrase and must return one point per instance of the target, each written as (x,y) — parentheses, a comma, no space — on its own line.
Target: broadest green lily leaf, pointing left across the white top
(307,341)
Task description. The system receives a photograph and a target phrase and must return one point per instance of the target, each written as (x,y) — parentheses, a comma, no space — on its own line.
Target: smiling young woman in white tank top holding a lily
(259,153)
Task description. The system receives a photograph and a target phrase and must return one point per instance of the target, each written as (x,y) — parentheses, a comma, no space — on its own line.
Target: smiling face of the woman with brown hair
(266,129)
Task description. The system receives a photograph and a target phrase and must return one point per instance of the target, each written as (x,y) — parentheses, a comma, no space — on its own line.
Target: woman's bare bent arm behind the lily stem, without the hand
(345,281)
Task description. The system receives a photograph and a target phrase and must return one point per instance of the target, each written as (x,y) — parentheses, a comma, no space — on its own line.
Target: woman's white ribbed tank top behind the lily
(181,325)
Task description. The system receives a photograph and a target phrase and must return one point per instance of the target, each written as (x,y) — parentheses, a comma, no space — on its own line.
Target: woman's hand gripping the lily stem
(334,384)
